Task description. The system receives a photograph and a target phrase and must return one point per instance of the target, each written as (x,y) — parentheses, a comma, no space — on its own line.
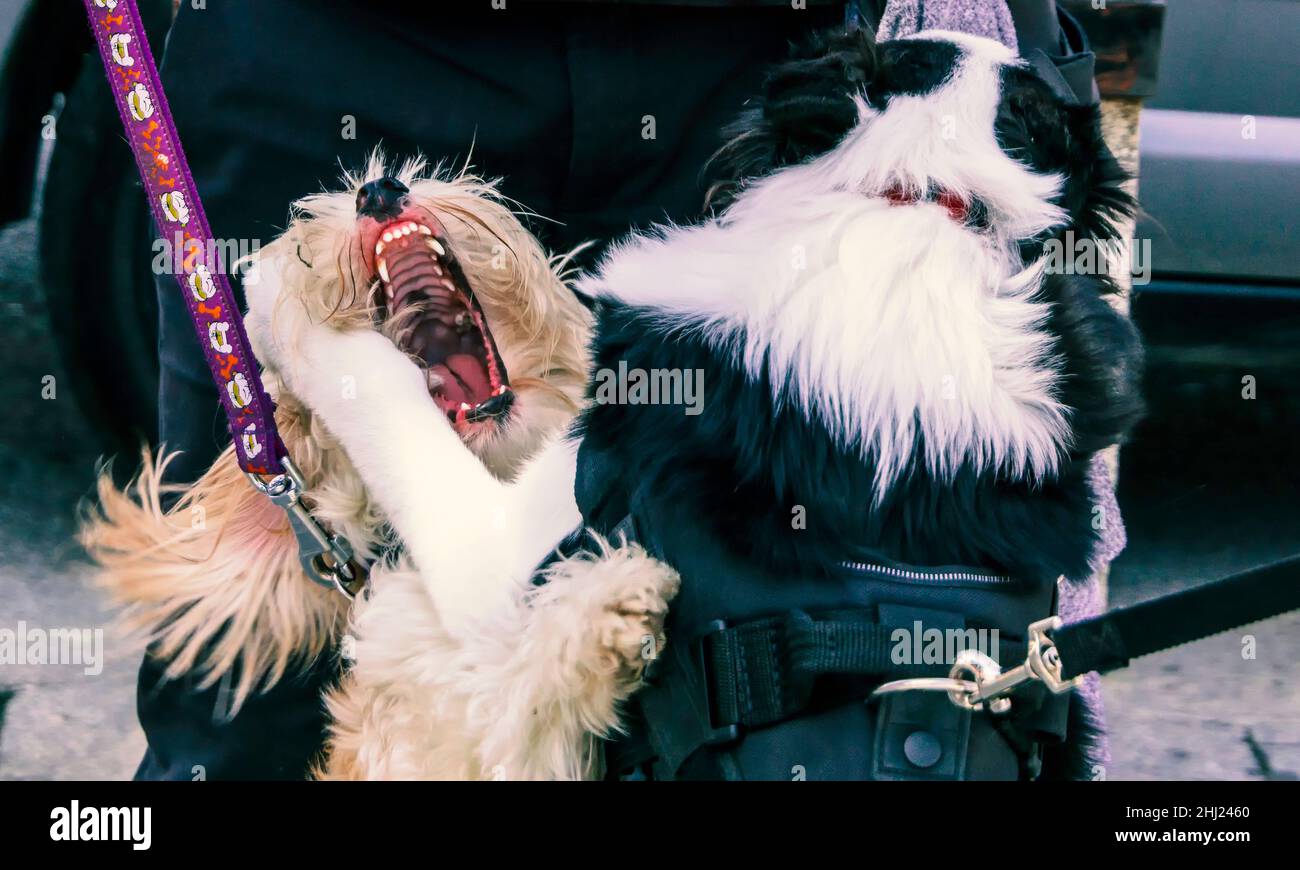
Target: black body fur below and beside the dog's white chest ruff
(748,460)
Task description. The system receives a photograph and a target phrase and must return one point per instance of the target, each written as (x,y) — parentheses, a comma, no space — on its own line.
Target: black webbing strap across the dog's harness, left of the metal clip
(764,672)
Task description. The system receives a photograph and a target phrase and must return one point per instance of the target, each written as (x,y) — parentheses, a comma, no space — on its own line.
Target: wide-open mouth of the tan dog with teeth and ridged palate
(441,322)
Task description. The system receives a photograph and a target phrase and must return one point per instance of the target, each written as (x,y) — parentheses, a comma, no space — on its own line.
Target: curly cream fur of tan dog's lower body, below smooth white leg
(525,698)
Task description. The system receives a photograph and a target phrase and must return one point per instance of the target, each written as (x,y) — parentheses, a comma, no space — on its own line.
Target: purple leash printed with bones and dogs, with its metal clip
(174,200)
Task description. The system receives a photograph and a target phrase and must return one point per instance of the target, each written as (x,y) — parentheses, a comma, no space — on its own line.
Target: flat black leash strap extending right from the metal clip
(1110,642)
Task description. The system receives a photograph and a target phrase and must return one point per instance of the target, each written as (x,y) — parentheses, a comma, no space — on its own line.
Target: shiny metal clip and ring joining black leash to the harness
(977,679)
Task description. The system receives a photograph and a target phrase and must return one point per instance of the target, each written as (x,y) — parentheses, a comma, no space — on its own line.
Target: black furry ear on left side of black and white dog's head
(805,110)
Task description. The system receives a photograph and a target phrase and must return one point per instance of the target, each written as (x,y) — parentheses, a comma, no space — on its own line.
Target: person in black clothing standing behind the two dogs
(601,116)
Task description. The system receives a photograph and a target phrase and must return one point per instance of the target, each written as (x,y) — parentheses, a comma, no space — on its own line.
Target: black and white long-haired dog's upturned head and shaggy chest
(881,336)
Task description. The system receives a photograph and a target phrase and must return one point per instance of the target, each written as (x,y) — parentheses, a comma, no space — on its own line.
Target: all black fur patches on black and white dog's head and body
(751,457)
